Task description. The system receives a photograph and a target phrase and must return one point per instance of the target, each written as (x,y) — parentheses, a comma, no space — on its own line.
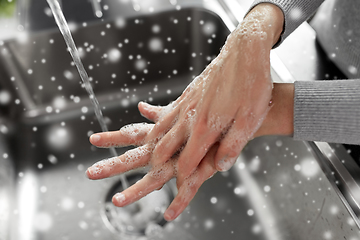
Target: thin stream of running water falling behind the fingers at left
(65,31)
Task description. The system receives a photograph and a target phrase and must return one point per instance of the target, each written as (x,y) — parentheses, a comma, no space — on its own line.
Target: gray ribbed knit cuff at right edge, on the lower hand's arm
(327,111)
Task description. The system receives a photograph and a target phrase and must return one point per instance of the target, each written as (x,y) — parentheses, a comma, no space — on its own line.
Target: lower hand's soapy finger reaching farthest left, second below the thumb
(132,159)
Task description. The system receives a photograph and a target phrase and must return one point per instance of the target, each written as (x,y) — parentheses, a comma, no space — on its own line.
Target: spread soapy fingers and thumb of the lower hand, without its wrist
(157,176)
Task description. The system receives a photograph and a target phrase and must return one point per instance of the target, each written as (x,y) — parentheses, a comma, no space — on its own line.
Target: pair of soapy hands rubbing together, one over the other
(205,129)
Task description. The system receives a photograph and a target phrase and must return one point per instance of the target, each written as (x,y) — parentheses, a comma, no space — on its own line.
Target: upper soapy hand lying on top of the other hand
(225,104)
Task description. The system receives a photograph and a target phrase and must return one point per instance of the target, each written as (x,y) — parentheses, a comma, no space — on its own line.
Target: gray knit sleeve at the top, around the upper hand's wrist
(295,12)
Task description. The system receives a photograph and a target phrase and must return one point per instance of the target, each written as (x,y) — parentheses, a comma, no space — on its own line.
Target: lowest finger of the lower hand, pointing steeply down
(191,185)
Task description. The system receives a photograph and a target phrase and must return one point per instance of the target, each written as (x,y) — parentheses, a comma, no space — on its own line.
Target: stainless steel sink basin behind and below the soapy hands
(276,190)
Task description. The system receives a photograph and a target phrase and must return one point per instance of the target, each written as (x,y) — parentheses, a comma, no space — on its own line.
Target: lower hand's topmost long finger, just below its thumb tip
(133,134)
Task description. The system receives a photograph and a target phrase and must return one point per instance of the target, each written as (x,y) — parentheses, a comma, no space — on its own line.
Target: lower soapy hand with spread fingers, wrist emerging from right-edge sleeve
(278,121)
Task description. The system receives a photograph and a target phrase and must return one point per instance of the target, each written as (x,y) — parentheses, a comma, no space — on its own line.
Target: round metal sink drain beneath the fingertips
(141,217)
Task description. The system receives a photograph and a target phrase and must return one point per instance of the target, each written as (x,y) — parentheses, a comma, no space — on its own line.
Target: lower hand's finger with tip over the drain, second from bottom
(152,181)
